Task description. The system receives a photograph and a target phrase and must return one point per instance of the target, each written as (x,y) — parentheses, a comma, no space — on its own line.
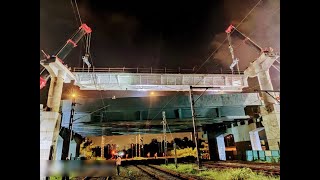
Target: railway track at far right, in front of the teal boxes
(266,169)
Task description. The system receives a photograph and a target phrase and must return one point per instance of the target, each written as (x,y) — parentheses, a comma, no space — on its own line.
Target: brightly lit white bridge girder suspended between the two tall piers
(158,82)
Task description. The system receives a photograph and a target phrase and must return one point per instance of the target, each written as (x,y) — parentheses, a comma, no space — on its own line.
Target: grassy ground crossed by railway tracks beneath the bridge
(209,170)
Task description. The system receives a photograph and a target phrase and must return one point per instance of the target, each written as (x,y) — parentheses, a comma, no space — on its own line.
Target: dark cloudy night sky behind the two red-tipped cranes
(161,34)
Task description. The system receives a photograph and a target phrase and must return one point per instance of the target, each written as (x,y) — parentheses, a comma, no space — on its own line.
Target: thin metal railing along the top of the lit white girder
(155,70)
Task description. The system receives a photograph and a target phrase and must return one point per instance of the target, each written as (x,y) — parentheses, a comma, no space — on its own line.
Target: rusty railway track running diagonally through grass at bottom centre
(157,173)
